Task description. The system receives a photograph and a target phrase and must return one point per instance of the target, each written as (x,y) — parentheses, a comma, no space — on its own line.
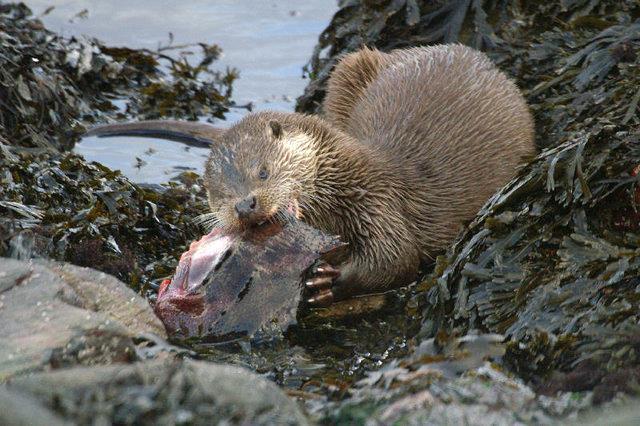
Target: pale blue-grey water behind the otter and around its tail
(267,41)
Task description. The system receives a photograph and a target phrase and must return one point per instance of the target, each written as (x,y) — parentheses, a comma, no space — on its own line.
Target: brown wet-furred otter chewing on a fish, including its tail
(410,145)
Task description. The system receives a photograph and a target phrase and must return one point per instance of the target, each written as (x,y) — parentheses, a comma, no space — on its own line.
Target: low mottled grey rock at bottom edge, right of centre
(400,394)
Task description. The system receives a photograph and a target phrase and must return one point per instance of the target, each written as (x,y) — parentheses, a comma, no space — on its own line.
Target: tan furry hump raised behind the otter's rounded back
(348,81)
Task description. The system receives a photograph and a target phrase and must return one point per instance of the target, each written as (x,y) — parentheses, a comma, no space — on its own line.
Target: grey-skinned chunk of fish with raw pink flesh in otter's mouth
(228,286)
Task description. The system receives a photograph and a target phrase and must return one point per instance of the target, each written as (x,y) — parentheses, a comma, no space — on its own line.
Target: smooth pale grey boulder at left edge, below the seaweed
(55,315)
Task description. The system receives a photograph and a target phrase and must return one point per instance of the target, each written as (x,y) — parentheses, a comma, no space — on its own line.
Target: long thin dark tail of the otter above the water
(187,132)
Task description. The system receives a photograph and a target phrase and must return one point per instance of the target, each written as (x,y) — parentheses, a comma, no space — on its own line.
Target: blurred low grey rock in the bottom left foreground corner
(155,392)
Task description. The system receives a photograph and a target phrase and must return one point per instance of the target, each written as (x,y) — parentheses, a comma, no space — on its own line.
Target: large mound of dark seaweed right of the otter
(555,271)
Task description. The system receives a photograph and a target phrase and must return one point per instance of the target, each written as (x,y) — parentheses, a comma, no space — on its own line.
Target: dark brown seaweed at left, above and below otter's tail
(56,205)
